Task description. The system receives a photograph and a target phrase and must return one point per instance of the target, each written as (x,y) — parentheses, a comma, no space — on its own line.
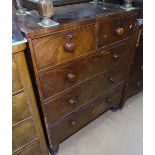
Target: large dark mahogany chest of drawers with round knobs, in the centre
(80,66)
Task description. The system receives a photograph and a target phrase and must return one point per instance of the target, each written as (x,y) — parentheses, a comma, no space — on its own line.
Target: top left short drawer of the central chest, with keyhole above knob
(64,46)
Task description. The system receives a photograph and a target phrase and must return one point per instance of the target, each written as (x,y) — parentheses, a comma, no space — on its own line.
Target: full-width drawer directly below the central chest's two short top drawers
(69,75)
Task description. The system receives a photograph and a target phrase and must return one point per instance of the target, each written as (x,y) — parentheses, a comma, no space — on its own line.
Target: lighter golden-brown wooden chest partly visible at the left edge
(27,133)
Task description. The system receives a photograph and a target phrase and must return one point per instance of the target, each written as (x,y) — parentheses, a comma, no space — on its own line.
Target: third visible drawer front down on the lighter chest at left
(23,133)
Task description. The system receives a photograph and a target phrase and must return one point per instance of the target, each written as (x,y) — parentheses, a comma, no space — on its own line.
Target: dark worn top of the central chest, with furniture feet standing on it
(71,16)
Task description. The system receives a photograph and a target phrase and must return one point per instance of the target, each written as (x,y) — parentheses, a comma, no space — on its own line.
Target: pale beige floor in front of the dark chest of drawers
(118,133)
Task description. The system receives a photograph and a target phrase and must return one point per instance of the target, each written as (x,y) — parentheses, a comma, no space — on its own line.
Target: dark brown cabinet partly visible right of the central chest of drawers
(134,77)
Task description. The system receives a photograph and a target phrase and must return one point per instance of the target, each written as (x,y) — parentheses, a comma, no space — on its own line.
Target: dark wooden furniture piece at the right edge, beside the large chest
(135,83)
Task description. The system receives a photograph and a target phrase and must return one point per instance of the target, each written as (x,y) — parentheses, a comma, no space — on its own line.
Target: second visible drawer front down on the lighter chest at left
(20,109)
